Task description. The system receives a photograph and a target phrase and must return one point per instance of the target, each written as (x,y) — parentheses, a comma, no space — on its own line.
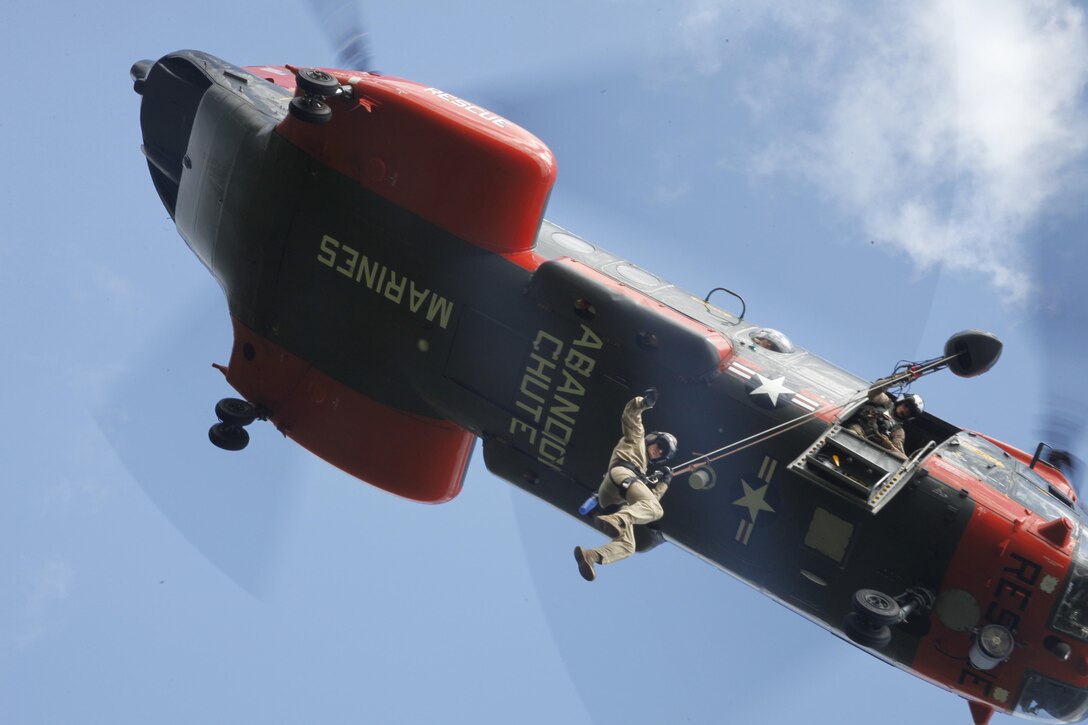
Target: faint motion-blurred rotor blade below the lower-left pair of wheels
(233,508)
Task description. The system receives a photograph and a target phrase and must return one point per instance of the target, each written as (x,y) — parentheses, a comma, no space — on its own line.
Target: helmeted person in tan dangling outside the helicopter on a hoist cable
(637,480)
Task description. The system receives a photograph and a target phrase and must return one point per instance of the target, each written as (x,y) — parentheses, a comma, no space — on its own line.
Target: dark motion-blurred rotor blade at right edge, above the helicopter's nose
(1061,315)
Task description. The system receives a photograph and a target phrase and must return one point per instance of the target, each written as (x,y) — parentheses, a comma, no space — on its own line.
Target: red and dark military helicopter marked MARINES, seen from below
(379,302)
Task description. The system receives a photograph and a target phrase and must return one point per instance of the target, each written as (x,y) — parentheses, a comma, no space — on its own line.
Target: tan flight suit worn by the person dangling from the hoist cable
(641,506)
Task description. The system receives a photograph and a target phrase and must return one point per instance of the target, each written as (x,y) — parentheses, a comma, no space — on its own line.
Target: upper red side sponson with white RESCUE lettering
(390,136)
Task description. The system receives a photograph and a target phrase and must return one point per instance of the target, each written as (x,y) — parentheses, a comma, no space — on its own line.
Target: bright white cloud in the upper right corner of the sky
(945,128)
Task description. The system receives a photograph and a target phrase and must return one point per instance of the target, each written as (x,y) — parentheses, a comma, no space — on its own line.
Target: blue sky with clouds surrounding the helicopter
(871,178)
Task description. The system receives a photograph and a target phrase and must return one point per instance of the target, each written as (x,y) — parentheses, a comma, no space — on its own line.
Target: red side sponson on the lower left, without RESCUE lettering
(412,456)
